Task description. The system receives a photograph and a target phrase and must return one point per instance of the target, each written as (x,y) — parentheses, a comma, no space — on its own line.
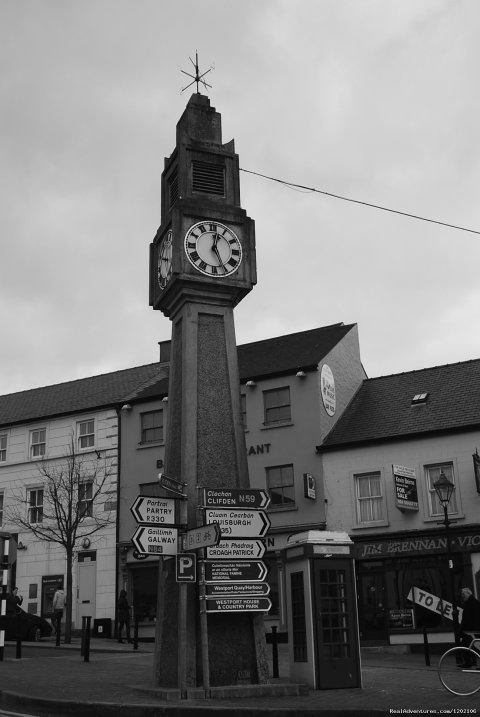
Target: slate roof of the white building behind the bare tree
(84,394)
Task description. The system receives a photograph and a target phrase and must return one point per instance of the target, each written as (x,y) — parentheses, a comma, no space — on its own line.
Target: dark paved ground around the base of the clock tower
(118,682)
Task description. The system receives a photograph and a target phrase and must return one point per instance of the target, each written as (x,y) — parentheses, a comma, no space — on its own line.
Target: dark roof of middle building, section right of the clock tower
(284,354)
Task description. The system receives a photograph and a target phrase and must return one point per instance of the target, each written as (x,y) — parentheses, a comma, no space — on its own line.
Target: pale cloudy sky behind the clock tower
(373,100)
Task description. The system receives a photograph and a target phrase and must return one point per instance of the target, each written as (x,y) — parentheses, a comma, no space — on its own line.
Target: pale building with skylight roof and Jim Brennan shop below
(380,464)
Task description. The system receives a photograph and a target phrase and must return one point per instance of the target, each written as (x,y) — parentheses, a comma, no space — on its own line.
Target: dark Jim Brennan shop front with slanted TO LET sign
(404,583)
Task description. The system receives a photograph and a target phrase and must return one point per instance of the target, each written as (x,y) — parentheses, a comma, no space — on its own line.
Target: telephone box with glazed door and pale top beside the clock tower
(323,642)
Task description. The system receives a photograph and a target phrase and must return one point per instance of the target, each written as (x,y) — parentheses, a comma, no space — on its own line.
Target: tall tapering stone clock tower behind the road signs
(202,263)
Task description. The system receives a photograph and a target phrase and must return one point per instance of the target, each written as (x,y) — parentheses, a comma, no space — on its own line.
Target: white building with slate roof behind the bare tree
(40,430)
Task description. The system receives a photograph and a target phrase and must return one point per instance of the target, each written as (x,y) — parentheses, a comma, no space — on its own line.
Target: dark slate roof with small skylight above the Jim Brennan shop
(382,409)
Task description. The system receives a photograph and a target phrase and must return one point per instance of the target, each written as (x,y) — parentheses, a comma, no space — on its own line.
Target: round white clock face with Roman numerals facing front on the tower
(213,249)
